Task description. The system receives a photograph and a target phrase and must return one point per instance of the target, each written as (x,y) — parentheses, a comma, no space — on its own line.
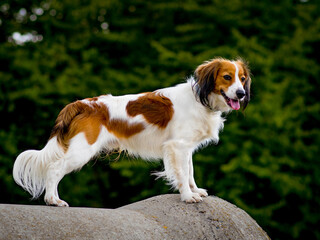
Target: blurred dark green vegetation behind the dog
(267,161)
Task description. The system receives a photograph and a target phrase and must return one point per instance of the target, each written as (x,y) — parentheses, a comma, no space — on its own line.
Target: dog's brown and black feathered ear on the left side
(205,76)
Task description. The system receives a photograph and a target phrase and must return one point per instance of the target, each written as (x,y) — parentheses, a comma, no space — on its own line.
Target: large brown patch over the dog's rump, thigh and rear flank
(80,117)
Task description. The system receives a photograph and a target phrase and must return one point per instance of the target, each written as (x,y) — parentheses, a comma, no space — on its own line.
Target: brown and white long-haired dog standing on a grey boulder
(169,124)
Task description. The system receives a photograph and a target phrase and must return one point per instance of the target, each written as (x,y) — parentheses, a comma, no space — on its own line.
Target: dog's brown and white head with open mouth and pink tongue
(229,80)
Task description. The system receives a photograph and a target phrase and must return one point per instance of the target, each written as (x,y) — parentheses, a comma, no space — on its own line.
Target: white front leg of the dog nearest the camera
(176,162)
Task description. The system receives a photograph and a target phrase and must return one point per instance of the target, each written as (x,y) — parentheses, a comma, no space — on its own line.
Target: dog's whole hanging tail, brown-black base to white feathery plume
(30,167)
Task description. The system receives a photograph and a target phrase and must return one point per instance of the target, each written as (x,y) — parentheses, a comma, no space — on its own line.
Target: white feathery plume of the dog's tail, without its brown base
(30,167)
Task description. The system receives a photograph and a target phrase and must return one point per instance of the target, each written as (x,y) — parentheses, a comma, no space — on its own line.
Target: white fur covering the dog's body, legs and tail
(191,127)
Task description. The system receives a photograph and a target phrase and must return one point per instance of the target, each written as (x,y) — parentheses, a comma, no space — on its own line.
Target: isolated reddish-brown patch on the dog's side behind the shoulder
(154,107)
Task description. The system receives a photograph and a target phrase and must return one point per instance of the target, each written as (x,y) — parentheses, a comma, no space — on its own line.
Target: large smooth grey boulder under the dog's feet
(160,217)
